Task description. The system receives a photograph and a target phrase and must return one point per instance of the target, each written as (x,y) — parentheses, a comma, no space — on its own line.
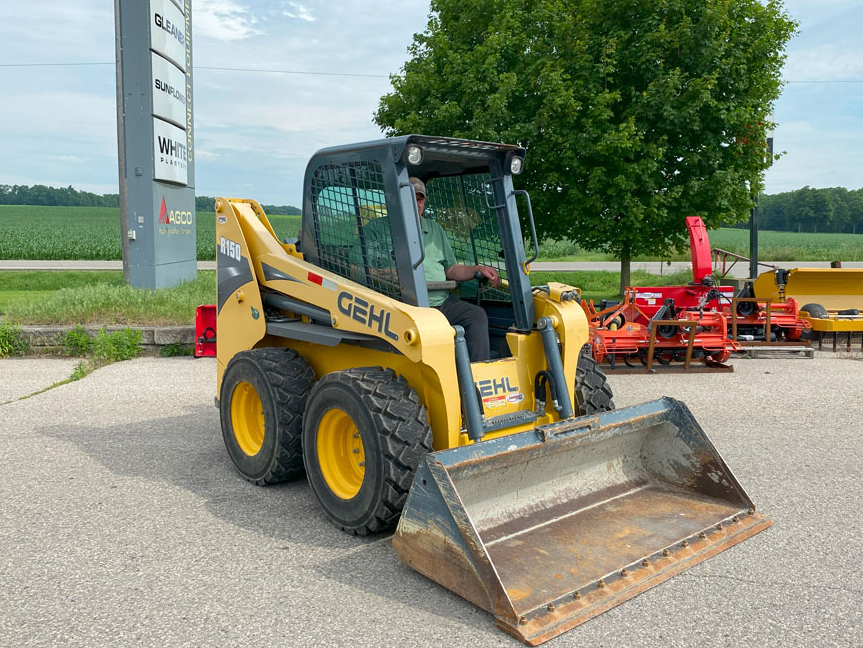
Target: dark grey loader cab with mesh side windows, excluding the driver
(360,221)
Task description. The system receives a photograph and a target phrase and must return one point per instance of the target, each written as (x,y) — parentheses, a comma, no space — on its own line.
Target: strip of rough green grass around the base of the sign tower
(105,299)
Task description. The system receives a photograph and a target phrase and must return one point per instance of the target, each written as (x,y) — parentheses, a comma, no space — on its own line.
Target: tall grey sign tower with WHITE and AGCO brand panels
(155,141)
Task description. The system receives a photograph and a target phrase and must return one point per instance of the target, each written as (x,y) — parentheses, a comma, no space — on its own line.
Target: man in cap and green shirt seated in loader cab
(440,265)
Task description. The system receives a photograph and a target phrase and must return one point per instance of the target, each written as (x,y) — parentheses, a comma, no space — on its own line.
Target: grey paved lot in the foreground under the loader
(122,523)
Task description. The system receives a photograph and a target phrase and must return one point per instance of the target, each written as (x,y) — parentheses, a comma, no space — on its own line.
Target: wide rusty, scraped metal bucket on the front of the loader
(548,528)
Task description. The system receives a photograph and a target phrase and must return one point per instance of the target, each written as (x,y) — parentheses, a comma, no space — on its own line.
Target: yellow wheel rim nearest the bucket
(340,453)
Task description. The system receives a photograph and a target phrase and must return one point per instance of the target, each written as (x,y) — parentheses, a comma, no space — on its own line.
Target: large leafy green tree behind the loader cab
(635,113)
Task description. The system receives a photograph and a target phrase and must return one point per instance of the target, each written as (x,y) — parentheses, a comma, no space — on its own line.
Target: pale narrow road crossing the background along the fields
(739,270)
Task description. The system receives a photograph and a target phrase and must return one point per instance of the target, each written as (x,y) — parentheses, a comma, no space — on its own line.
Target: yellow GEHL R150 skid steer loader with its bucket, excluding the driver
(514,481)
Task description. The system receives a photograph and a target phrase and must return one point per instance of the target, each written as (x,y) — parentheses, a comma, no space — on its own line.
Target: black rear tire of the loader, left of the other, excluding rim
(282,380)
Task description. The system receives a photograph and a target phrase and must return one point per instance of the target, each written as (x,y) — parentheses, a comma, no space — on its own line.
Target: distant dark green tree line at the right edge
(812,210)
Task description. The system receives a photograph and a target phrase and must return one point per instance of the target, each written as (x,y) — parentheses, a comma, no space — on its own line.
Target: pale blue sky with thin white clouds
(255,131)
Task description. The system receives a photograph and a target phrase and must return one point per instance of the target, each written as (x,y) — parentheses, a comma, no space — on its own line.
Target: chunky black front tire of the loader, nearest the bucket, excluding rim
(395,434)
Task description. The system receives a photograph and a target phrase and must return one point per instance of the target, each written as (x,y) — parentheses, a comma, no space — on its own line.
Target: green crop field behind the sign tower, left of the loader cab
(93,233)
